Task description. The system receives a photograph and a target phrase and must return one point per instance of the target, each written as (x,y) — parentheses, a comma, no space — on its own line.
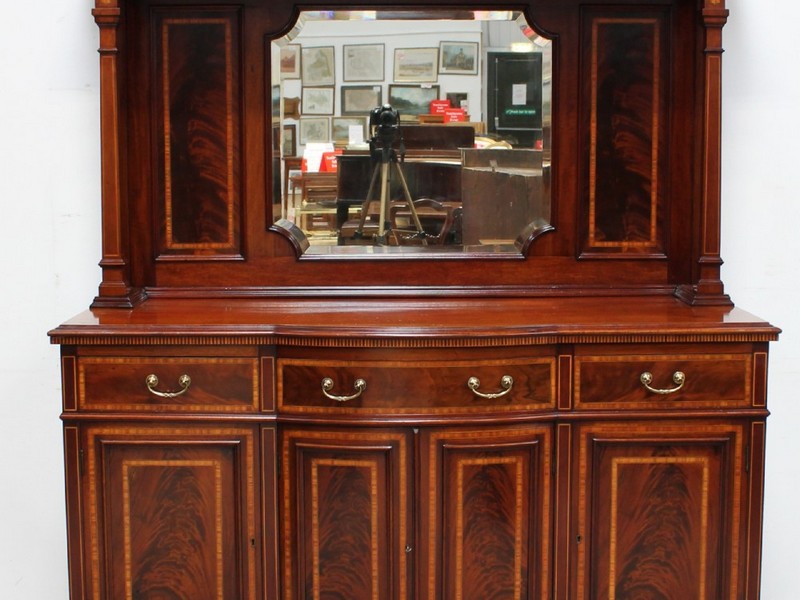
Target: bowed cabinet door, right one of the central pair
(485,525)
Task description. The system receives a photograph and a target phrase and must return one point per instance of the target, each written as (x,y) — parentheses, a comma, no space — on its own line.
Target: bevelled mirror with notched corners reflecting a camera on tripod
(412,133)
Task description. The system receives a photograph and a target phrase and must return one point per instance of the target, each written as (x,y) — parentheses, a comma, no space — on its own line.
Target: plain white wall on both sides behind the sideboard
(49,247)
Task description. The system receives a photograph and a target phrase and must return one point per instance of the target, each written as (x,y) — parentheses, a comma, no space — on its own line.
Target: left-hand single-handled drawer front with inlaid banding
(126,384)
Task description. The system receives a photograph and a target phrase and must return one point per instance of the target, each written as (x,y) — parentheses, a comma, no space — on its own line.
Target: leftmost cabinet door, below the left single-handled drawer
(171,513)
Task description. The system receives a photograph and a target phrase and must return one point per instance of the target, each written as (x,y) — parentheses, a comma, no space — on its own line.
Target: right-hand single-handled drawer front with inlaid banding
(709,381)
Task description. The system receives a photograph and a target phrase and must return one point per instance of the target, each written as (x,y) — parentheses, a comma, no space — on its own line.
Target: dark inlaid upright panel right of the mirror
(627,58)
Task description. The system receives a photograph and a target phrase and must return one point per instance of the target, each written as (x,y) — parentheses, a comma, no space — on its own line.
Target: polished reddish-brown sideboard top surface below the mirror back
(445,321)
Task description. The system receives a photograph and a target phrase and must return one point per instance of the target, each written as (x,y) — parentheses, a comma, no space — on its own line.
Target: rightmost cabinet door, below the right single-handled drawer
(660,511)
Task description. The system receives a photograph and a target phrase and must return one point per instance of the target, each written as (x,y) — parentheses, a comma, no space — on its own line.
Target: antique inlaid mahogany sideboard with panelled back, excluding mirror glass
(577,414)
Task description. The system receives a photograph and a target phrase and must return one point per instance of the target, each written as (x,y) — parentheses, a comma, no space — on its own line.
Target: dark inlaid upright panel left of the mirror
(197,89)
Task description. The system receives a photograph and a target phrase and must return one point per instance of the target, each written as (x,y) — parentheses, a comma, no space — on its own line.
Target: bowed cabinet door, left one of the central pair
(346,517)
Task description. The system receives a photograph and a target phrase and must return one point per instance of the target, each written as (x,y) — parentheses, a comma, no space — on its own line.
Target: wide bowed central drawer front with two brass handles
(428,387)
